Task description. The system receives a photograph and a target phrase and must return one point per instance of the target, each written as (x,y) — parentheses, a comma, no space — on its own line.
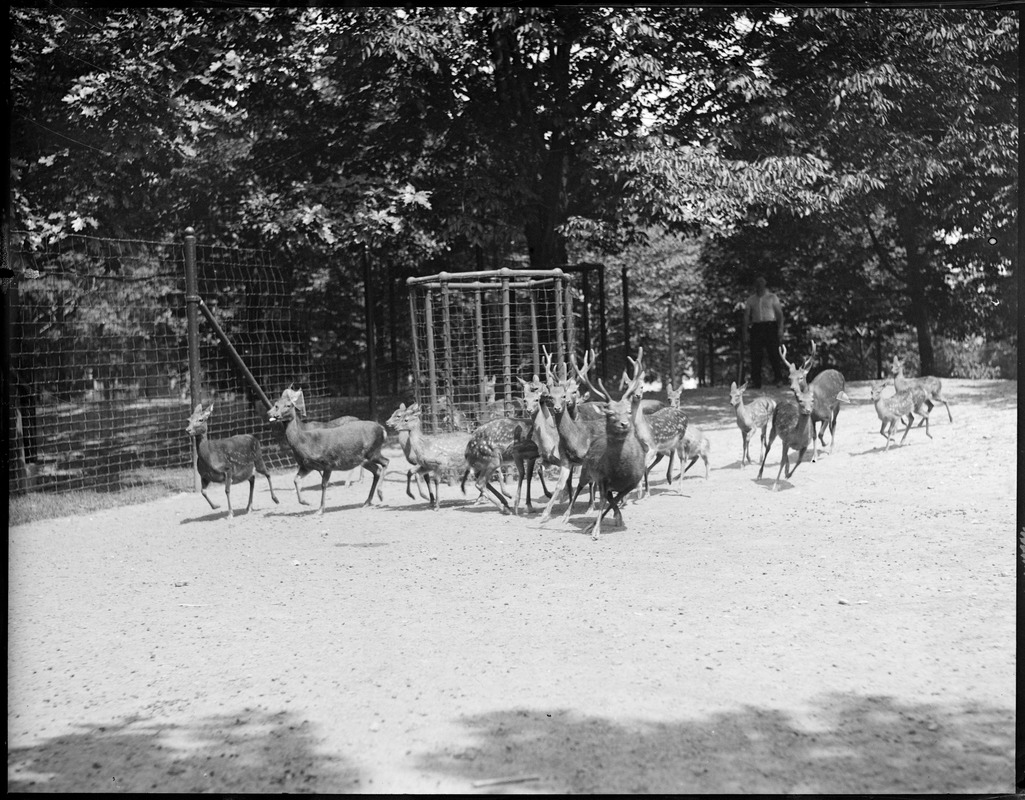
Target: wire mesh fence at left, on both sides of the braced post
(100,378)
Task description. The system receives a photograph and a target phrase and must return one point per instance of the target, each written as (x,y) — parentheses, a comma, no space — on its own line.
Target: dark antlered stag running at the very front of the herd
(616,462)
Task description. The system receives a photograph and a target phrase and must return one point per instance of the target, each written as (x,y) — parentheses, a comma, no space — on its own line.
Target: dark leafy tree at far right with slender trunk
(921,105)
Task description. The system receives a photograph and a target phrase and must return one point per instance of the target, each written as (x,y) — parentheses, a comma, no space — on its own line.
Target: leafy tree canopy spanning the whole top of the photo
(877,145)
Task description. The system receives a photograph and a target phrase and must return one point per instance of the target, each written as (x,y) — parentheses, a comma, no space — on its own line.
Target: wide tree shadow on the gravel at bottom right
(871,745)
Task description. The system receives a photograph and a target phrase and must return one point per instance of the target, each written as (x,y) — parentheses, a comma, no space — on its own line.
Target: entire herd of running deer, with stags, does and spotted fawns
(566,423)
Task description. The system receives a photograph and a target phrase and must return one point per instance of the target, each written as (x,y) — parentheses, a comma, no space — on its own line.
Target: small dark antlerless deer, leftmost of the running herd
(226,461)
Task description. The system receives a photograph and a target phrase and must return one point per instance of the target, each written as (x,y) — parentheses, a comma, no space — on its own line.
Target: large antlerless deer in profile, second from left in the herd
(326,450)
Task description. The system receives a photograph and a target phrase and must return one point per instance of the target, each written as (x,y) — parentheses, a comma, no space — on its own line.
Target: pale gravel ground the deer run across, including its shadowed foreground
(851,633)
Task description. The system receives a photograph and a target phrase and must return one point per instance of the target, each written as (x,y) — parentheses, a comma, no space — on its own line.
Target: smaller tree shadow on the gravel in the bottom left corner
(248,752)
